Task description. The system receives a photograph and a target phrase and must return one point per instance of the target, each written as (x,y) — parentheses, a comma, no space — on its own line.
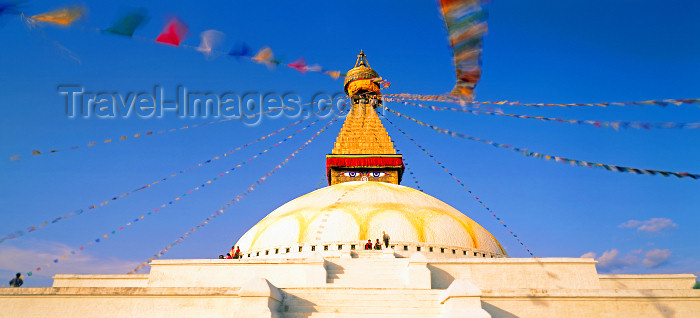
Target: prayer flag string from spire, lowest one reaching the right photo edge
(573,162)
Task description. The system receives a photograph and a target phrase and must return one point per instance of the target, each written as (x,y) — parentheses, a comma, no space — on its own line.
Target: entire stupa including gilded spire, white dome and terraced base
(307,258)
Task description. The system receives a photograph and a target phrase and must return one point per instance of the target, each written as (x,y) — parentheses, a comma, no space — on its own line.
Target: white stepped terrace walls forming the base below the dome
(364,284)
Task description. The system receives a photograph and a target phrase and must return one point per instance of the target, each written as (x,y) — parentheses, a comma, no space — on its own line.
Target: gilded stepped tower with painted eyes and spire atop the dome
(363,150)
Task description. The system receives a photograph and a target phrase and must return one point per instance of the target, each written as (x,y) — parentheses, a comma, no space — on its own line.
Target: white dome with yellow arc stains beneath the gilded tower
(361,210)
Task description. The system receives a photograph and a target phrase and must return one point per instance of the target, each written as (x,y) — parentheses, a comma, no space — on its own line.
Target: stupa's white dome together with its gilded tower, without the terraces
(364,199)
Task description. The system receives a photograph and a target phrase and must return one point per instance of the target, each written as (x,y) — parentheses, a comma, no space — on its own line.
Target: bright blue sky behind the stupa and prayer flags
(535,51)
